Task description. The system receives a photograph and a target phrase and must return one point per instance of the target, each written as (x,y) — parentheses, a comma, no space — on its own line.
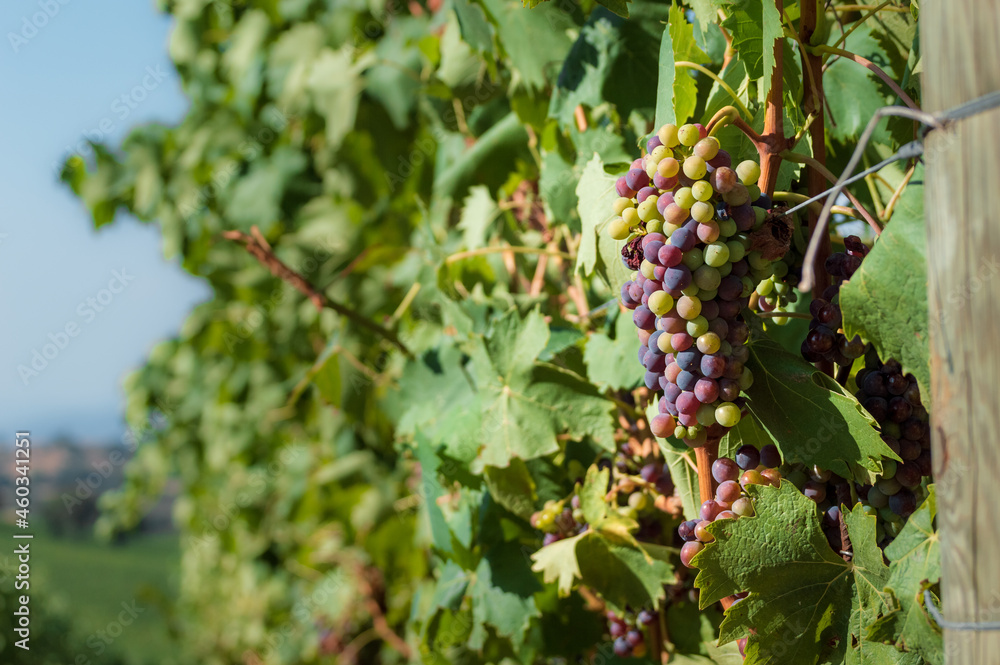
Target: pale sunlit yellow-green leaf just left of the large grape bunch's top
(598,252)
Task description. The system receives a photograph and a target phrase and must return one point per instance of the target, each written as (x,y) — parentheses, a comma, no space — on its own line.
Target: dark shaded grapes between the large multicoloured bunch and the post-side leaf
(826,340)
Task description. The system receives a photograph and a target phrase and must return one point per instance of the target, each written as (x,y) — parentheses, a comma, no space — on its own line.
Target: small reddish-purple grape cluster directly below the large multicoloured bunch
(750,467)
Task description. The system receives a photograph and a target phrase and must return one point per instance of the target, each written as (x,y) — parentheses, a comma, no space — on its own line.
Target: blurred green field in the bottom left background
(88,581)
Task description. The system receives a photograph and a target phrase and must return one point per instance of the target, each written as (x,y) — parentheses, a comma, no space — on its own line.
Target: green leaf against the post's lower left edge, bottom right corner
(915,563)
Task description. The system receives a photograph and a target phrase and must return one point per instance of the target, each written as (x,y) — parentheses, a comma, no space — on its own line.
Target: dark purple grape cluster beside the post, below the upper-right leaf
(893,399)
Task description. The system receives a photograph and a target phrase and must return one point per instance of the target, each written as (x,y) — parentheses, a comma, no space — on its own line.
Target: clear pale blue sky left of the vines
(63,81)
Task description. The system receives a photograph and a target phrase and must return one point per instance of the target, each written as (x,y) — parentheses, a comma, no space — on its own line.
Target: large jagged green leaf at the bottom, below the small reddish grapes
(803,597)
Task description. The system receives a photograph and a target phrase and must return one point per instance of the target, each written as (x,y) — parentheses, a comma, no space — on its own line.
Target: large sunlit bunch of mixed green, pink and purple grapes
(689,214)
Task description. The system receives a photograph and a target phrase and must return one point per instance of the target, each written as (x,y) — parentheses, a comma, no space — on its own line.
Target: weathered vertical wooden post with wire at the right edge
(960,44)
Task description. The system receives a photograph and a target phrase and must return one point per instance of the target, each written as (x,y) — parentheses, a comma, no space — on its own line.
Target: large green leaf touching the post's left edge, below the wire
(886,300)
